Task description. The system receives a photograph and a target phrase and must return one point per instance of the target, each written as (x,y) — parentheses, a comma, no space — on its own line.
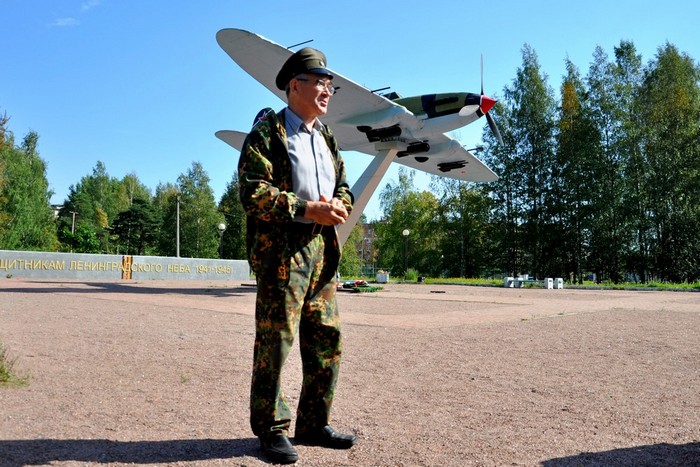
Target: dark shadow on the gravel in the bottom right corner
(655,455)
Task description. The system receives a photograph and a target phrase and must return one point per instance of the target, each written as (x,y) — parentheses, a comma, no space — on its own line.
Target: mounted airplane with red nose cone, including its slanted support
(410,131)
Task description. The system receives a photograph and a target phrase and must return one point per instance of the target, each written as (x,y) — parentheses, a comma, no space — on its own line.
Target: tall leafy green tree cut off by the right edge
(669,103)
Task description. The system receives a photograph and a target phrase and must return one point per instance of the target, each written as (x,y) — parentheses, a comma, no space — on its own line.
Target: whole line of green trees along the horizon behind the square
(600,178)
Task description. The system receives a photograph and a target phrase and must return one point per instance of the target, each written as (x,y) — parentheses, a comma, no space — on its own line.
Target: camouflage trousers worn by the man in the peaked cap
(305,306)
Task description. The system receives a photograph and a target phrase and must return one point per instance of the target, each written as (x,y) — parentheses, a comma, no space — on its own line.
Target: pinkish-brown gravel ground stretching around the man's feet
(157,373)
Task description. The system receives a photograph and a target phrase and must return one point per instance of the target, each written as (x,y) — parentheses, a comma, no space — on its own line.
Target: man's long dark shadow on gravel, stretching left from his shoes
(16,453)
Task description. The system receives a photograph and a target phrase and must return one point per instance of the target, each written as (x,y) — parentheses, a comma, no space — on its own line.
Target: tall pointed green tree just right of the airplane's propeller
(524,166)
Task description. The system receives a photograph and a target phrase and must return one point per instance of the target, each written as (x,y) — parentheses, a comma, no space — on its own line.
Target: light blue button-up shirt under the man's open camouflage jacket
(313,171)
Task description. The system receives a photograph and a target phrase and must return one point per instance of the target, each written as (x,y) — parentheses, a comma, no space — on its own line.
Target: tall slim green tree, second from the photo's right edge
(612,86)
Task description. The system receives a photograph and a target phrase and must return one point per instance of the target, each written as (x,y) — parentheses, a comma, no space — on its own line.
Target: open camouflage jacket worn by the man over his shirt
(265,188)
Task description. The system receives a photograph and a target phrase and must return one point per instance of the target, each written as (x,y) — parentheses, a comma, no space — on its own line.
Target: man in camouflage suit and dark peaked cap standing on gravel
(294,192)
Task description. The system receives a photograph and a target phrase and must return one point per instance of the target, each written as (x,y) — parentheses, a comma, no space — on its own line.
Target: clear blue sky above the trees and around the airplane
(142,85)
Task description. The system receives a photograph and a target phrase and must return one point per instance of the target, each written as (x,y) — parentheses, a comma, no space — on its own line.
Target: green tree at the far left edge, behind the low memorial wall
(26,217)
